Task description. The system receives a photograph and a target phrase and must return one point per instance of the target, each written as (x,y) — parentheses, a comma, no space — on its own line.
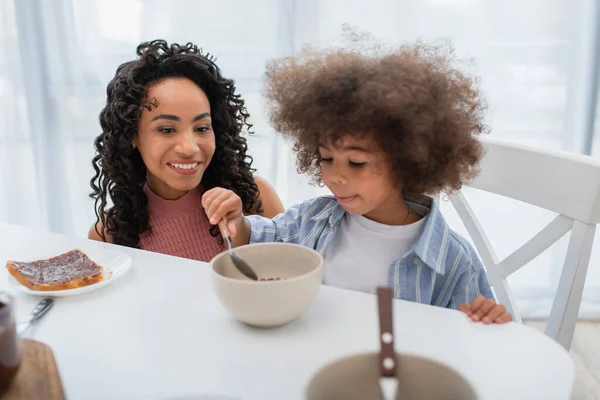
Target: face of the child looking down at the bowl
(358,174)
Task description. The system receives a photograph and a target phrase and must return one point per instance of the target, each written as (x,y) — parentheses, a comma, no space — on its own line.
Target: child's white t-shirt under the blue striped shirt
(361,252)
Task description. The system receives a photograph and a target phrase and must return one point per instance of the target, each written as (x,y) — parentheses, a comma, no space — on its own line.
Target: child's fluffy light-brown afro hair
(420,109)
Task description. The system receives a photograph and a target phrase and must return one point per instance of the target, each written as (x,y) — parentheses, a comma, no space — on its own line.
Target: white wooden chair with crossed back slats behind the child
(565,183)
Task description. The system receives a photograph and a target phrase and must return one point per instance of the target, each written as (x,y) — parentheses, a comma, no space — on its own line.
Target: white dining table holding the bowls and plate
(159,332)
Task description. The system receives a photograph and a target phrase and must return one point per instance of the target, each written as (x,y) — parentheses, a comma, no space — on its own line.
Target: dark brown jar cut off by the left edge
(9,342)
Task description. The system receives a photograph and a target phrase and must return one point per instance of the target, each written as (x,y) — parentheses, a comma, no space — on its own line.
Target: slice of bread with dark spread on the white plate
(65,271)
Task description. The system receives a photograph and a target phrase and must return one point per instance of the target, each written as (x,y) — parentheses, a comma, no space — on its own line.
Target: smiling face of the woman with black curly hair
(175,136)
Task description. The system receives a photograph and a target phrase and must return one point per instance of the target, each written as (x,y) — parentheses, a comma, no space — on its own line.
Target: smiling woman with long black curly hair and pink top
(171,129)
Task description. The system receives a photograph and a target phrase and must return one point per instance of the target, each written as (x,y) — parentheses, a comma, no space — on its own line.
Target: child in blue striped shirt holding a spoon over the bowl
(381,133)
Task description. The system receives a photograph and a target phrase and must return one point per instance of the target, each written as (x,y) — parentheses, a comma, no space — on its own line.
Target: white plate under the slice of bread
(115,264)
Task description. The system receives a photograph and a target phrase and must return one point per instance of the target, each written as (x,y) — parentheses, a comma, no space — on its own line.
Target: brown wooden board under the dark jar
(38,376)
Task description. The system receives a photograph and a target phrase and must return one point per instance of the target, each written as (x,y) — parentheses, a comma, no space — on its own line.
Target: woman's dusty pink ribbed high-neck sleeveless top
(180,227)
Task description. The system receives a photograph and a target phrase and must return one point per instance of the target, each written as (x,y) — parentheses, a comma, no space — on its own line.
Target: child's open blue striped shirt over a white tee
(441,269)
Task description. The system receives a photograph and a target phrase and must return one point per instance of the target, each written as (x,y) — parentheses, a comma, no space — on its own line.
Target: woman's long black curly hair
(119,170)
